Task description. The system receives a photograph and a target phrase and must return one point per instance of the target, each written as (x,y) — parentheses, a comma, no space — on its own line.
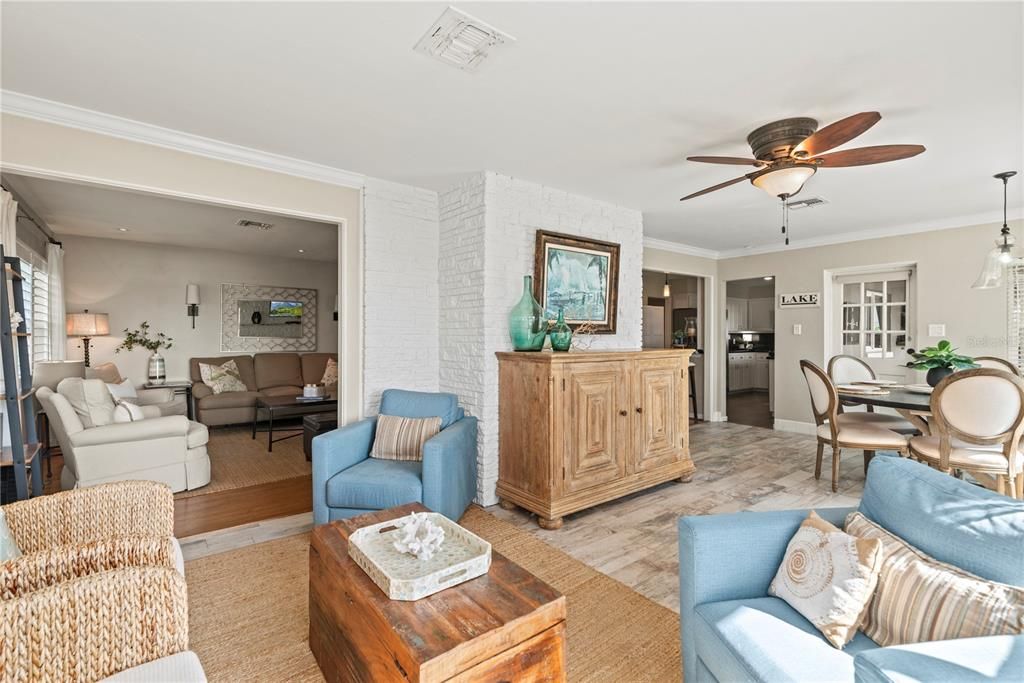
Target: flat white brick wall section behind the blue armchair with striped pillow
(401,326)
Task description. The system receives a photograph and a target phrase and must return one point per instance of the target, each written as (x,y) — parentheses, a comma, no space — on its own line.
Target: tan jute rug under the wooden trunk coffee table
(249,614)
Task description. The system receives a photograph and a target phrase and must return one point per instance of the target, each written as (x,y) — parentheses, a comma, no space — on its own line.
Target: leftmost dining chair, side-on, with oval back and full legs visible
(838,431)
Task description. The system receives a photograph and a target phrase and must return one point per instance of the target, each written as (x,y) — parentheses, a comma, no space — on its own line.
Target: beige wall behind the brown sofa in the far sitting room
(151,284)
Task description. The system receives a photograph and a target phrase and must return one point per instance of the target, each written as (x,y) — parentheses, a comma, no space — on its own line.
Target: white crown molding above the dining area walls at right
(843,238)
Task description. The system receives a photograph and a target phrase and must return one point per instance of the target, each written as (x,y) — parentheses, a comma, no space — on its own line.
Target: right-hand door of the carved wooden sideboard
(659,391)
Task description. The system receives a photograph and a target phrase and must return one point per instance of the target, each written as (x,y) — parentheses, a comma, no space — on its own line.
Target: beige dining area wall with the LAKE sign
(948,263)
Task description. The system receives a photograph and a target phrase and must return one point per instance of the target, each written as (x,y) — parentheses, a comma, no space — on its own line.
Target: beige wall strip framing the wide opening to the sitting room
(37,148)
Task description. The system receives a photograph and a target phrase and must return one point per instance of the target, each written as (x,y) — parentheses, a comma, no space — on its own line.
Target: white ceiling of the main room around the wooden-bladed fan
(605,100)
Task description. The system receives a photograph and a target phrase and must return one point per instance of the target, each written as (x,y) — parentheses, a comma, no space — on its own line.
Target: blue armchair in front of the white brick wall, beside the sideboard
(349,483)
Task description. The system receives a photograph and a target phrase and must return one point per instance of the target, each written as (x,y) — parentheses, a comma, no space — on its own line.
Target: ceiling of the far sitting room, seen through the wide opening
(97,212)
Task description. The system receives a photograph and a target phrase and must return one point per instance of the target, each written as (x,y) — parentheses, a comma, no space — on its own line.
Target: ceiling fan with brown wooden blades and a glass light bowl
(788,153)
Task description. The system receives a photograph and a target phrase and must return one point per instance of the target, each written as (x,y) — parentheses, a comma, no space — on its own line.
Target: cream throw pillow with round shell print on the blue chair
(829,577)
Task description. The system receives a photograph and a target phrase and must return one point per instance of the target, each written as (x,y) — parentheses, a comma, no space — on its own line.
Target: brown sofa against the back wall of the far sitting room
(264,374)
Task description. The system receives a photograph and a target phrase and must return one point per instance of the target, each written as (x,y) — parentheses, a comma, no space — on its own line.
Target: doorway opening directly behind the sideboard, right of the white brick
(675,317)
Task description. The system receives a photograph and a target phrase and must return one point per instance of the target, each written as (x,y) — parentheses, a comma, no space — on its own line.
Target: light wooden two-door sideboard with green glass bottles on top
(582,429)
